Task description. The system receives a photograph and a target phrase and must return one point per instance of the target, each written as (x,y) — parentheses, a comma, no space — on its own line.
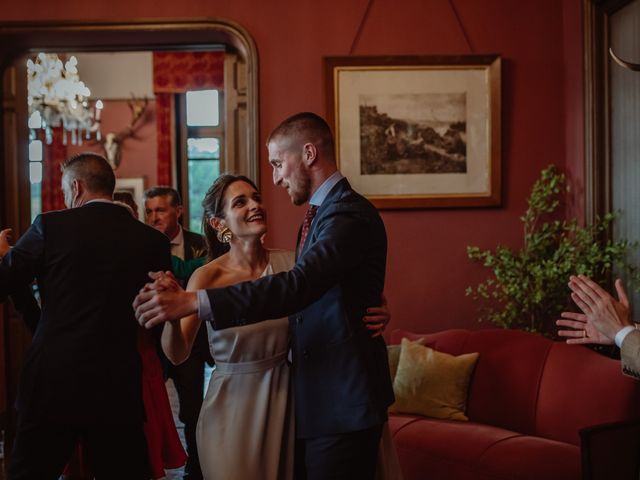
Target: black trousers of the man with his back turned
(41,450)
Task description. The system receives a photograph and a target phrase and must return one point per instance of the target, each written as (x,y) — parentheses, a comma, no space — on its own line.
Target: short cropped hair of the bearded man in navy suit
(305,126)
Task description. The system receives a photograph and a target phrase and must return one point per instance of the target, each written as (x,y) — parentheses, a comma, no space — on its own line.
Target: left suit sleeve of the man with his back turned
(19,267)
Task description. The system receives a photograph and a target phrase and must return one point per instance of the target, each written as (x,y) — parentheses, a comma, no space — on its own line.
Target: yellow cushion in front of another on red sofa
(432,383)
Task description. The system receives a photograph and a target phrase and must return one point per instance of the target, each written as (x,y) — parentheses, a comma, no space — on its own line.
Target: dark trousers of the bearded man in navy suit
(338,457)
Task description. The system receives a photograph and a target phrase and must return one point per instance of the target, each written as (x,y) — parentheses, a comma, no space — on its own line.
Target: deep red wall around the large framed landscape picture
(427,268)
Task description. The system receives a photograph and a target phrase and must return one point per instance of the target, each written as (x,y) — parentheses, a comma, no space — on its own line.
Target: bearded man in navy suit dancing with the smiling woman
(341,376)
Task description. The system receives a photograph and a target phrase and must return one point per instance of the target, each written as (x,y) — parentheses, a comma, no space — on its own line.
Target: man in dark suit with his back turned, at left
(81,380)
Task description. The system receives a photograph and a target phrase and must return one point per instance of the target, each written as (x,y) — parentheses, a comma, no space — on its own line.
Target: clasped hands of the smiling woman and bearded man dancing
(163,301)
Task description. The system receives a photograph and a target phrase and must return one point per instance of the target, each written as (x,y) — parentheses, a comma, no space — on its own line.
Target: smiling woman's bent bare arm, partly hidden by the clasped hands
(178,336)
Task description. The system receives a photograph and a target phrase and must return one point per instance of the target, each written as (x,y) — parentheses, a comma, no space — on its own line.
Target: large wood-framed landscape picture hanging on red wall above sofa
(418,132)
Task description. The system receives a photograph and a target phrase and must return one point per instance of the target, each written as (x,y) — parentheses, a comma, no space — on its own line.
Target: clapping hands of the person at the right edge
(602,315)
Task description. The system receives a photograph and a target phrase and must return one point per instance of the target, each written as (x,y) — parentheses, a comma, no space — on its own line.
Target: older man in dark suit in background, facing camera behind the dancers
(163,209)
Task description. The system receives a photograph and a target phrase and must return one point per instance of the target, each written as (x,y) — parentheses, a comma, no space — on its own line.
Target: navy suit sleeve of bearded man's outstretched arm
(340,245)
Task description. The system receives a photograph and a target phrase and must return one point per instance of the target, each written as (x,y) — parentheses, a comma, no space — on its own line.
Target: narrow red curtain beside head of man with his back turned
(54,155)
